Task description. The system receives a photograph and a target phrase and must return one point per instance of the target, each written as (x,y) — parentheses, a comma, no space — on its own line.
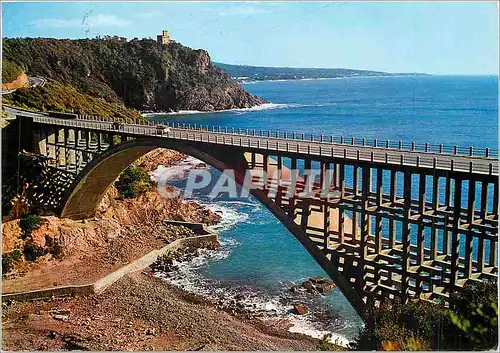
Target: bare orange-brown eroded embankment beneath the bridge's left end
(87,250)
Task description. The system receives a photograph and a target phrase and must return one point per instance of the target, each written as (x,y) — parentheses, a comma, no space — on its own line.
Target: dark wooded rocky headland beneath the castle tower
(139,73)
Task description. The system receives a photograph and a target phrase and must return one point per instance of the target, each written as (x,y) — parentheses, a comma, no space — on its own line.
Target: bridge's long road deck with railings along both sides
(273,143)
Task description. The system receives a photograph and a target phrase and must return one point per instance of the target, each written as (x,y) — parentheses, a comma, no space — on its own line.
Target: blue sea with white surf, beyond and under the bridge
(260,260)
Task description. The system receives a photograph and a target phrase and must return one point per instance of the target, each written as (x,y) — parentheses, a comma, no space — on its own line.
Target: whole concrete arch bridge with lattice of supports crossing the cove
(401,221)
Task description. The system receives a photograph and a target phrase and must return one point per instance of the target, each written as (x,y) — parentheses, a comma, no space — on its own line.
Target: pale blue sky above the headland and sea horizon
(432,37)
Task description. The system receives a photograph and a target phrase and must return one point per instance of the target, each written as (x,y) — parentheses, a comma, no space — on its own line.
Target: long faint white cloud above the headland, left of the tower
(99,20)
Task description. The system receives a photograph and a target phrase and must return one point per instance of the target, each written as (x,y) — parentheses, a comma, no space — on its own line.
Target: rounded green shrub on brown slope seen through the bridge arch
(133,181)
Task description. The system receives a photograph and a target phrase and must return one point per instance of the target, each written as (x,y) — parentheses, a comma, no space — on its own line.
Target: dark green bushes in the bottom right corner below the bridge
(469,324)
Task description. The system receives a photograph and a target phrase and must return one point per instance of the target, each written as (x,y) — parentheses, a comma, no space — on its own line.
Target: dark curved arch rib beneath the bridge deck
(85,194)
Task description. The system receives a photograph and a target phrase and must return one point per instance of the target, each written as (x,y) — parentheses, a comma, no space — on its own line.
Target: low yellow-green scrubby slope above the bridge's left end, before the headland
(56,96)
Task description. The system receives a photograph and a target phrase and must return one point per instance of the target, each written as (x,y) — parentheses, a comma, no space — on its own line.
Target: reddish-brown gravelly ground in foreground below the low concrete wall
(139,313)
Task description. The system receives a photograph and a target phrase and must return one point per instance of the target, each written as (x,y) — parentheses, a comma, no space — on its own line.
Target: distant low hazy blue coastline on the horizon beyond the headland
(256,73)
